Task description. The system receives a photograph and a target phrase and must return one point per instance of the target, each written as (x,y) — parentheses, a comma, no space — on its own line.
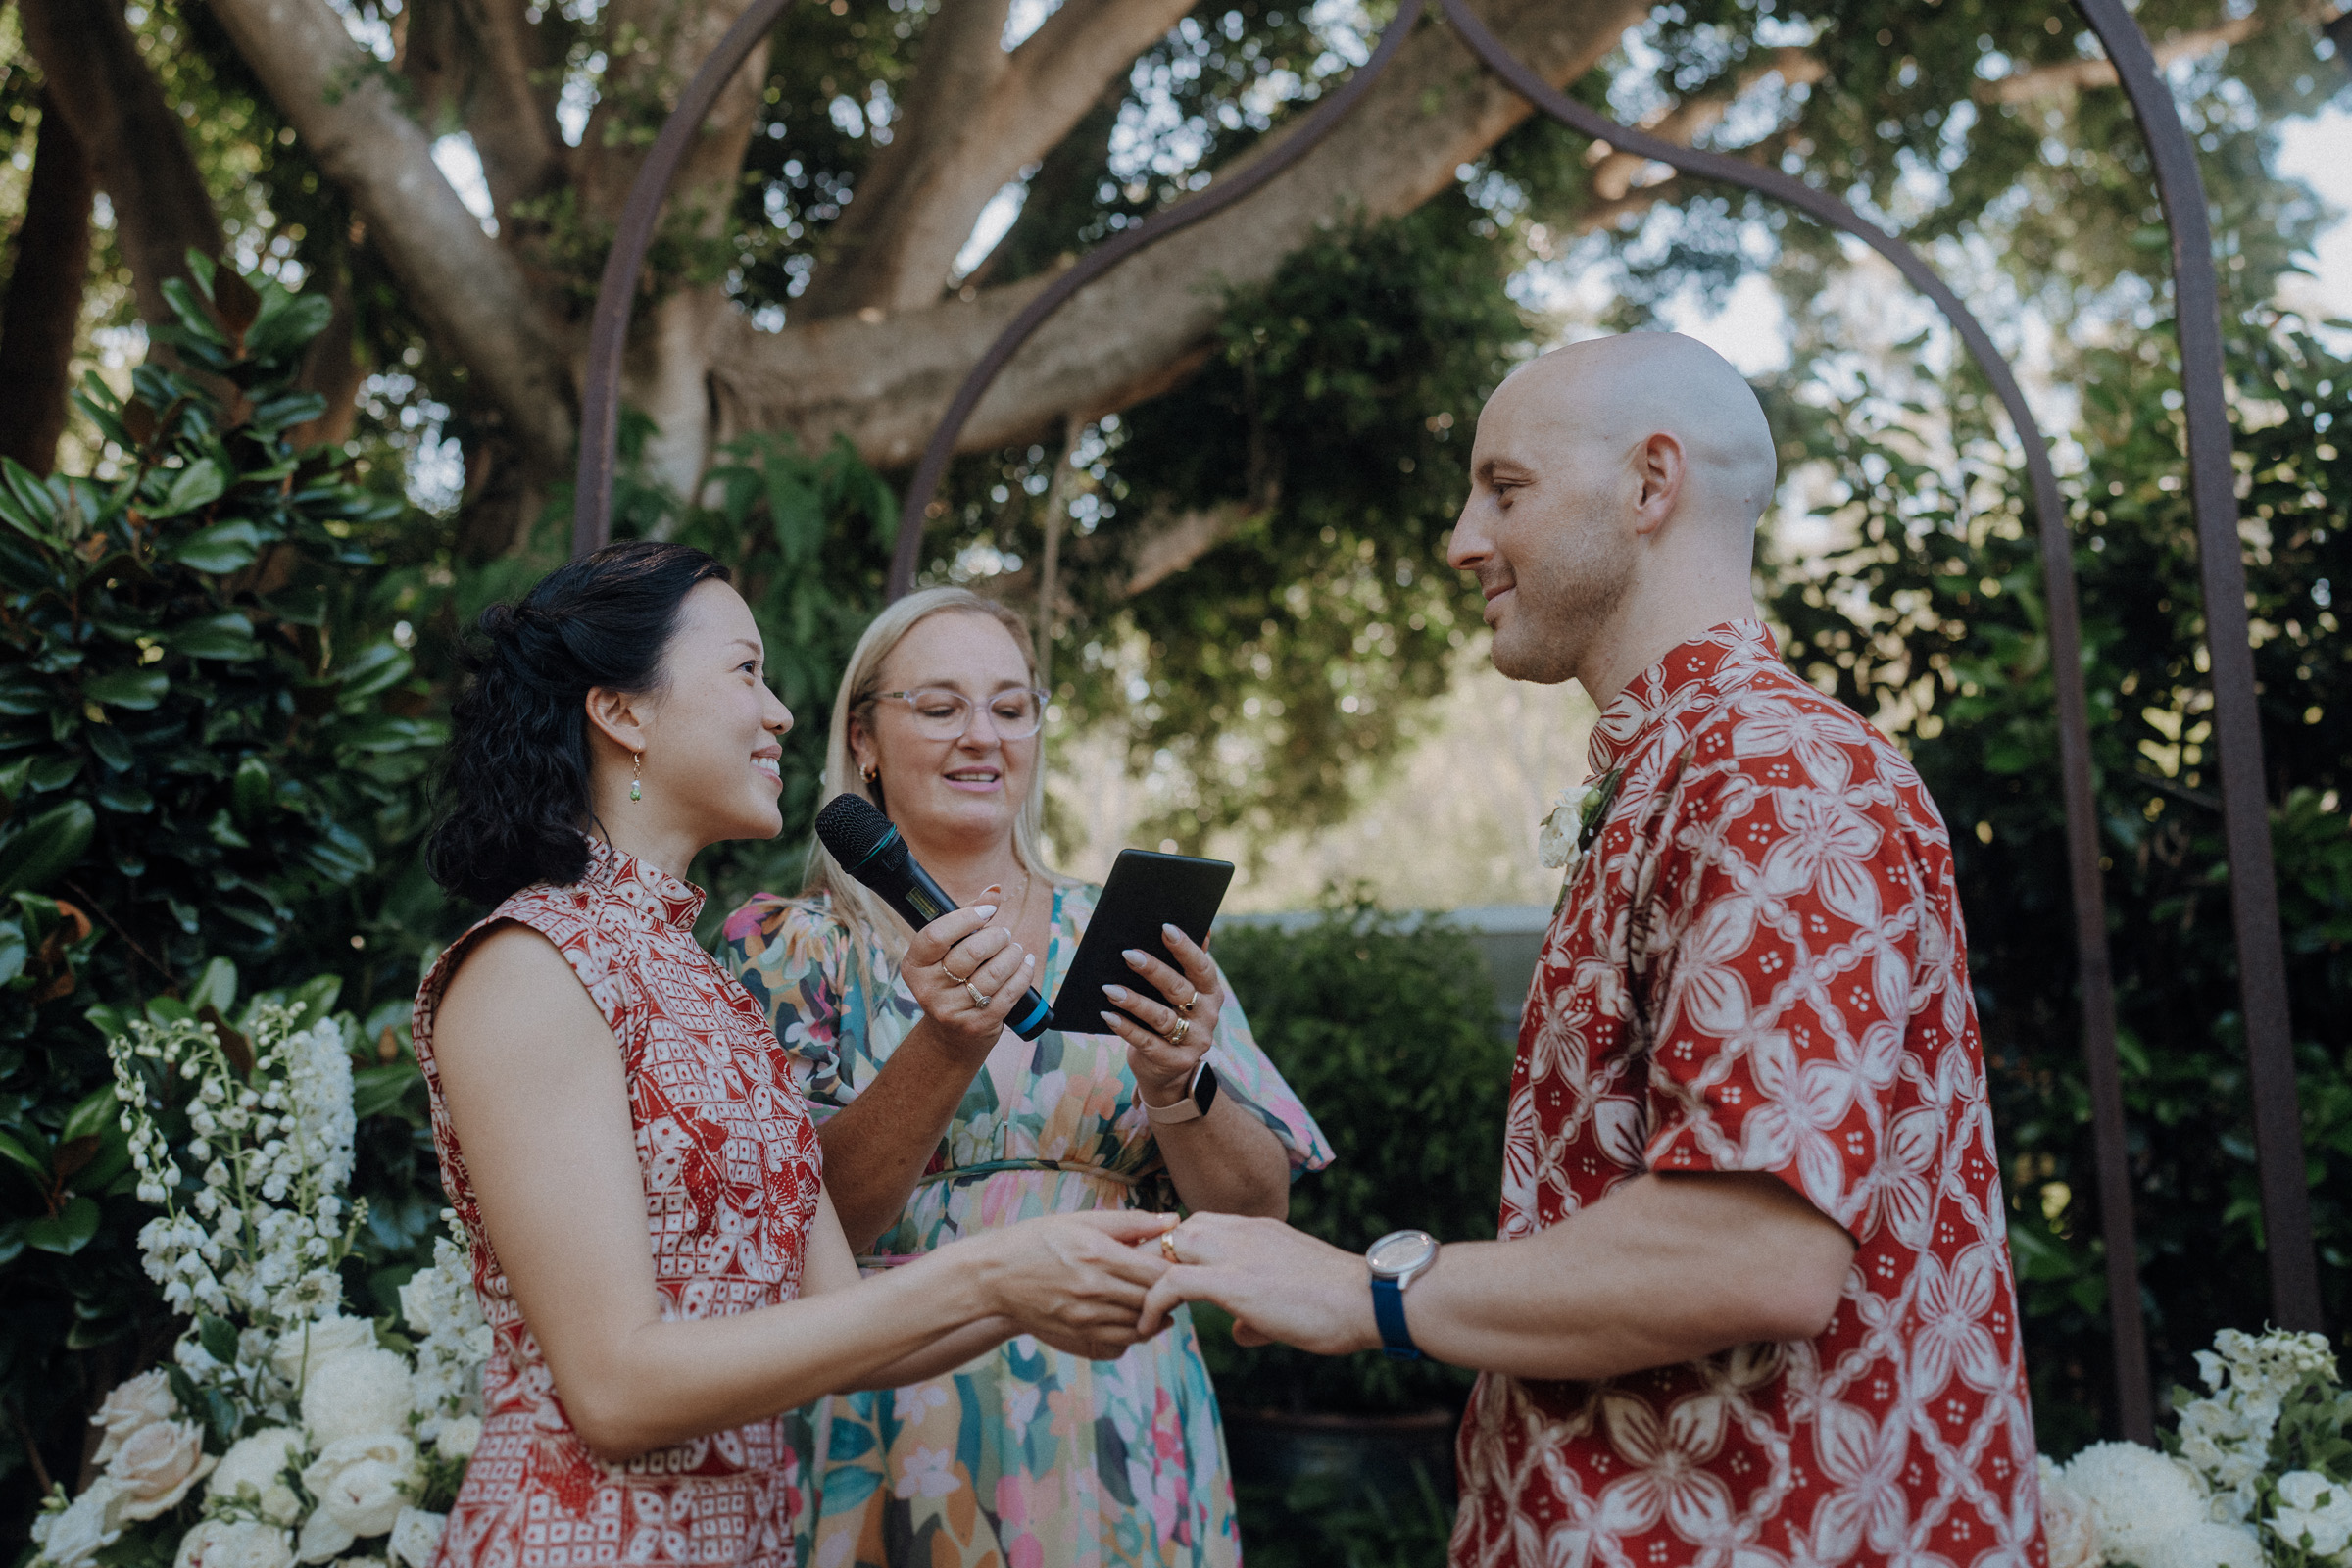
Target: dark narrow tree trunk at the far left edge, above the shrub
(46,295)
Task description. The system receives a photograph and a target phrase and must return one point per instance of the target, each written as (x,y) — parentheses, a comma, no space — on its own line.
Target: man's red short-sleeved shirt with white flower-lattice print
(1760,967)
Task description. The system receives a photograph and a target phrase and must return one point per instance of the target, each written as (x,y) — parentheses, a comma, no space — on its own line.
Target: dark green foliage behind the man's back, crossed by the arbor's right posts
(1930,617)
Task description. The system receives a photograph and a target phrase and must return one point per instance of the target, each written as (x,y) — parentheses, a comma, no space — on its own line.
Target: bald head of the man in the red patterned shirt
(1608,467)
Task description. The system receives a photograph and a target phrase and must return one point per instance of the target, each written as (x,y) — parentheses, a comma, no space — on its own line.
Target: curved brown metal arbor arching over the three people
(2294,1278)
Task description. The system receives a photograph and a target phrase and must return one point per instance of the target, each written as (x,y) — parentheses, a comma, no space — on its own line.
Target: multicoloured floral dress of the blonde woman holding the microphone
(1022,1459)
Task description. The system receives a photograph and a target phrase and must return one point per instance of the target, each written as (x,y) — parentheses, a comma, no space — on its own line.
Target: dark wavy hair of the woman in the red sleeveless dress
(514,786)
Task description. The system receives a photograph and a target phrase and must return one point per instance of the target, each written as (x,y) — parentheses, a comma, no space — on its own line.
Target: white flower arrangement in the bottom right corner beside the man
(2257,1477)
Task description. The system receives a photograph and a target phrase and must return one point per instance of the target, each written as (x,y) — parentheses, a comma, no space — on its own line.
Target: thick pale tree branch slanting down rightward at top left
(460,281)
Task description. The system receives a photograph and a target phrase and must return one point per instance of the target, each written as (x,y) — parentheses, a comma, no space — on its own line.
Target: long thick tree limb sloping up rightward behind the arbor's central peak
(886,382)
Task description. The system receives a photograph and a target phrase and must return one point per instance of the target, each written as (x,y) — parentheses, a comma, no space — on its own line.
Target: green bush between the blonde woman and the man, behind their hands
(1384,1031)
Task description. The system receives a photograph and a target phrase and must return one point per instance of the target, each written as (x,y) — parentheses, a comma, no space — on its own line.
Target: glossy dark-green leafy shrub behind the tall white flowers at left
(206,765)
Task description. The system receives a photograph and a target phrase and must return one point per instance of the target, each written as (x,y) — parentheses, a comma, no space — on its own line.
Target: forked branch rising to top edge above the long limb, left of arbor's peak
(968,135)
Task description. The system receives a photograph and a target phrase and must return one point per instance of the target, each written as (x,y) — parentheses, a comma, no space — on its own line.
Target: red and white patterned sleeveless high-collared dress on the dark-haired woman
(730,1186)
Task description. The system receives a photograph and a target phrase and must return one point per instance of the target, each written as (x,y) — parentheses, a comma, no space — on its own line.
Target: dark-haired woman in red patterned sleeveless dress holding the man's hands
(617,1127)
